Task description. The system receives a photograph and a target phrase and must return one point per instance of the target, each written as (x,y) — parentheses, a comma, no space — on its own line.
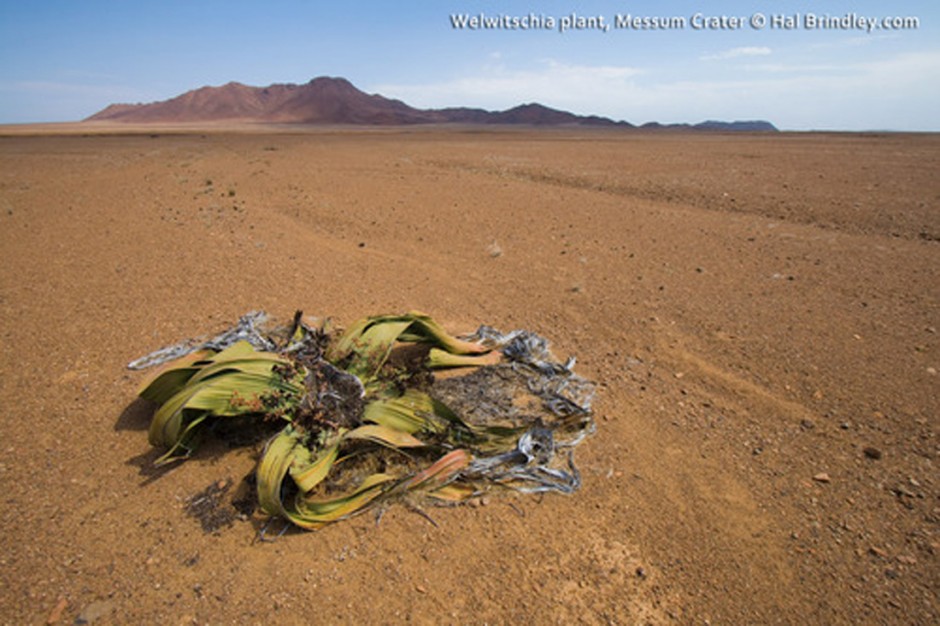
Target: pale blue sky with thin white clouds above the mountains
(64,60)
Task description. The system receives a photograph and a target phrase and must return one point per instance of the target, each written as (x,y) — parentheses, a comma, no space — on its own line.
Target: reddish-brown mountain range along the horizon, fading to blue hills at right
(327,100)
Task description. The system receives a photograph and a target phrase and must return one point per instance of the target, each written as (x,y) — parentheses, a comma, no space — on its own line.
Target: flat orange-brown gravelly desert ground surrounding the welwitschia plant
(759,313)
